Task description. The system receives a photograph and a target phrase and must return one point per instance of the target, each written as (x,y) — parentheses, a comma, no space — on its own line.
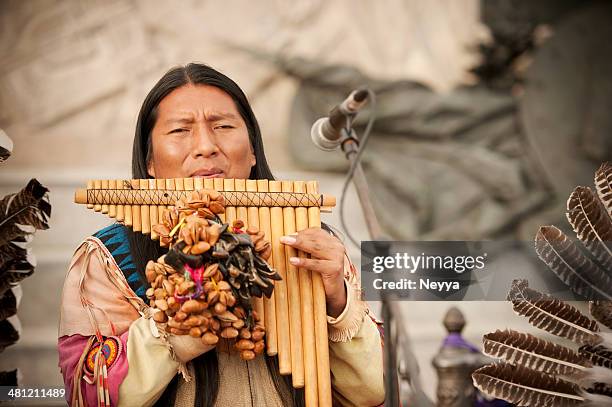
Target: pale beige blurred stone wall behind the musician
(74,73)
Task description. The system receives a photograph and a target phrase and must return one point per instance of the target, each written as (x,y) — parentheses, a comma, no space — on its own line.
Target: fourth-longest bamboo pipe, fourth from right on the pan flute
(280,287)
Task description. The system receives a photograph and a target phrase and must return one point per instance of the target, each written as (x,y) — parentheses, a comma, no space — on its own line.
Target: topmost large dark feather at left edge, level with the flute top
(28,207)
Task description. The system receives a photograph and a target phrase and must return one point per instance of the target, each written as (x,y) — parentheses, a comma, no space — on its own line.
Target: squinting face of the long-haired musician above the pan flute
(199,133)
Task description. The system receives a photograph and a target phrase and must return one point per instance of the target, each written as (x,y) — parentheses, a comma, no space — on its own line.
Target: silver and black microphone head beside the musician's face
(326,131)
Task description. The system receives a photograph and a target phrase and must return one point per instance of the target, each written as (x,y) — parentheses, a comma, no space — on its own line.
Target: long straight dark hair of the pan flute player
(144,249)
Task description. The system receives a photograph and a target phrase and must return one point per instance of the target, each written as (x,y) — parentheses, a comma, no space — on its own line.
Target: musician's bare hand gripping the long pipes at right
(327,259)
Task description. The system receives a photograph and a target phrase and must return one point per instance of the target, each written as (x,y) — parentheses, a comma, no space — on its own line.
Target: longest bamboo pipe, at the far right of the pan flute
(320,314)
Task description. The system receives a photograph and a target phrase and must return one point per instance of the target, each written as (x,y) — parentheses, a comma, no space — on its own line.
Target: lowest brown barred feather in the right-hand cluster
(526,387)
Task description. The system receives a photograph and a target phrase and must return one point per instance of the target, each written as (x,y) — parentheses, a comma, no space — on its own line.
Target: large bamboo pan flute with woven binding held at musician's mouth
(295,316)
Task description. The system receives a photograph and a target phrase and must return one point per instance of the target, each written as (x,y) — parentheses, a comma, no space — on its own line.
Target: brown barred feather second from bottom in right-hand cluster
(532,352)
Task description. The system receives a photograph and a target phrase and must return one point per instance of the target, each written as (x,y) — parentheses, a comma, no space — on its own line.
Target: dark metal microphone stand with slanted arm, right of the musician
(350,147)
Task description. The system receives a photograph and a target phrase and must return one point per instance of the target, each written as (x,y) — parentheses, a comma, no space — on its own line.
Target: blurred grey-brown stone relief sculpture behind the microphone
(473,163)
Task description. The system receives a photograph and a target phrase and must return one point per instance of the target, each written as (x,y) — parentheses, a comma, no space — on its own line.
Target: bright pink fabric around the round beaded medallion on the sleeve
(70,349)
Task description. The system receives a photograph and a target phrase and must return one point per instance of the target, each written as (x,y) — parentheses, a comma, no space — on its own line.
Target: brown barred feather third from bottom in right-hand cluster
(552,315)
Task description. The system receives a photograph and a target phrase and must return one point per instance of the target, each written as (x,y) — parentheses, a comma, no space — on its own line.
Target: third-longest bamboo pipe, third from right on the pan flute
(293,293)
